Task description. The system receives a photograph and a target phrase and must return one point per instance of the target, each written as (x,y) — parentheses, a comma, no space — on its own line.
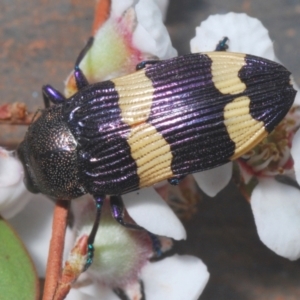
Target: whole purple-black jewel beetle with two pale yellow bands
(168,119)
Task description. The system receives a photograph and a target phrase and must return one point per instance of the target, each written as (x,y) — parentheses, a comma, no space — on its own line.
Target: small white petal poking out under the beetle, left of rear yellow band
(213,181)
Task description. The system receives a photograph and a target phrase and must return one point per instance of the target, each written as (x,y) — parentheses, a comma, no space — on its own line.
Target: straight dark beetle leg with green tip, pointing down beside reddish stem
(99,203)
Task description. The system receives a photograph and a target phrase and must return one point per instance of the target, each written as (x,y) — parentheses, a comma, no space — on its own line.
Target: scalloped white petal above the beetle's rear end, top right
(246,35)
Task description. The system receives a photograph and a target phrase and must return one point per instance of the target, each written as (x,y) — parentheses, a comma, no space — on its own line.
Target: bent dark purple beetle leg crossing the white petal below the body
(117,209)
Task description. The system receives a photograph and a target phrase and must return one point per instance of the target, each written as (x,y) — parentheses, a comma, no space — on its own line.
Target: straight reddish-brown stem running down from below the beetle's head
(54,264)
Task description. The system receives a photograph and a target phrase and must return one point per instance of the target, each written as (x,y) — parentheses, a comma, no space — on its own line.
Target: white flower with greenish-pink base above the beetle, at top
(133,32)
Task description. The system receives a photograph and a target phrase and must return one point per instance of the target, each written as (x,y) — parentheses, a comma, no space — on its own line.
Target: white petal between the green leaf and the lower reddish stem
(33,225)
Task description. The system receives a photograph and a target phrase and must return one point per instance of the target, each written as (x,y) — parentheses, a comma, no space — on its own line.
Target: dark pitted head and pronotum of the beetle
(49,157)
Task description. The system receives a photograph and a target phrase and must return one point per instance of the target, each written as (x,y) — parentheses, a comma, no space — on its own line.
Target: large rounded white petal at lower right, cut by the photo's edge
(276,210)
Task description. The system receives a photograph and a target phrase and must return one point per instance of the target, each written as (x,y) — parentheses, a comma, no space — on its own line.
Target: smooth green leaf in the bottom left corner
(18,279)
